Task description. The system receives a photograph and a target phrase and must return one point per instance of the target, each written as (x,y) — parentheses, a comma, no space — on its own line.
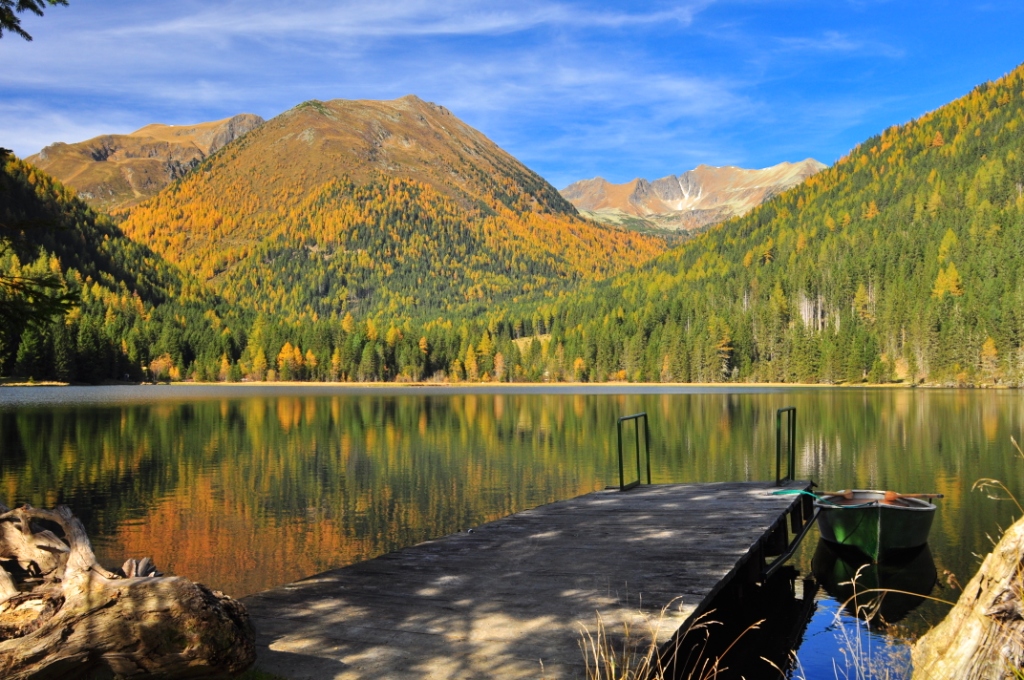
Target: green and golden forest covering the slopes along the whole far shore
(904,264)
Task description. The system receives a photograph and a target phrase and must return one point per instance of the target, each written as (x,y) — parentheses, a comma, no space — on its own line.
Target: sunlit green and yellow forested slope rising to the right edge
(904,262)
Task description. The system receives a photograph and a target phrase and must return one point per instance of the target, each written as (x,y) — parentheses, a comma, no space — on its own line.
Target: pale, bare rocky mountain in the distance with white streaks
(704,196)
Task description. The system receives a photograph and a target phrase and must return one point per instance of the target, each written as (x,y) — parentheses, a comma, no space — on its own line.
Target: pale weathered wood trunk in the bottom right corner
(983,637)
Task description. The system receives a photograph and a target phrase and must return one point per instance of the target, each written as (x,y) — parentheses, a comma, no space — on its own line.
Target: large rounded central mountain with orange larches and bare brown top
(390,207)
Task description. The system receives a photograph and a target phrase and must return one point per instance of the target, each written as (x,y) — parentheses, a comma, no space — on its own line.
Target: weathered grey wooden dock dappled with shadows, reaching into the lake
(513,599)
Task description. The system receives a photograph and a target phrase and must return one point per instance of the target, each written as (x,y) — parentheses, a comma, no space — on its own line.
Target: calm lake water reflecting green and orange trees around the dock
(246,488)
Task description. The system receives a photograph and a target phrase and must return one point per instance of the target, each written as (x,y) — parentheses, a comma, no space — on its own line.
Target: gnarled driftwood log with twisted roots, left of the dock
(64,616)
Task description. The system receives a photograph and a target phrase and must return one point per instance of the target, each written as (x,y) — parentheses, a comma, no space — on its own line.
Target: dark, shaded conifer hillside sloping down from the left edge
(133,308)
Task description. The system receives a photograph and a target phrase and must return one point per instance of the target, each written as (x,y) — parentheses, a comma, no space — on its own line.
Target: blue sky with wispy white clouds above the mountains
(574,90)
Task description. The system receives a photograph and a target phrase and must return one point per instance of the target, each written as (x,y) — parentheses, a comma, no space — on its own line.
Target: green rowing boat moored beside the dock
(877,529)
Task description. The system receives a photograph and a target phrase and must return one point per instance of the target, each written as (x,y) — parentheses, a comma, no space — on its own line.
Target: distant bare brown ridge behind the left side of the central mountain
(118,171)
